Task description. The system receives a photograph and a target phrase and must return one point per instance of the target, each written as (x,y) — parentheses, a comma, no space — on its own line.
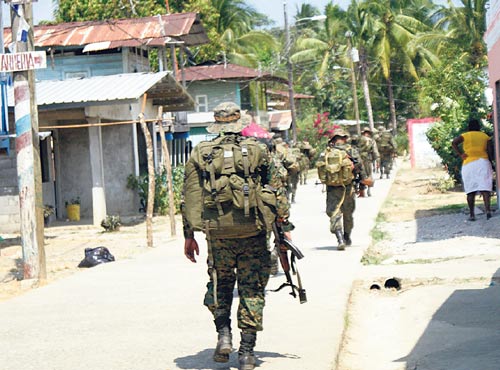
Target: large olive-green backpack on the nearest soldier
(223,193)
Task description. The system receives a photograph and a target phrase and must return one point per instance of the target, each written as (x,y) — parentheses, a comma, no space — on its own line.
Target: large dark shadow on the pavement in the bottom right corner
(463,334)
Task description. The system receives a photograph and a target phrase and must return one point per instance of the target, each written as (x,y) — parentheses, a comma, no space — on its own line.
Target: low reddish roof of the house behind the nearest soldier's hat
(227,71)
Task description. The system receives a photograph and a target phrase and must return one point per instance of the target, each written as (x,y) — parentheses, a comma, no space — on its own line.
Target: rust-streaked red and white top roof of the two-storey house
(152,31)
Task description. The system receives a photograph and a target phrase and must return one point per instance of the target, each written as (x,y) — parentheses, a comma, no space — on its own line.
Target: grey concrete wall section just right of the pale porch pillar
(118,165)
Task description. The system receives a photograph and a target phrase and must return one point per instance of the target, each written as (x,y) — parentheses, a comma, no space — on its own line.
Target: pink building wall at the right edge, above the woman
(492,39)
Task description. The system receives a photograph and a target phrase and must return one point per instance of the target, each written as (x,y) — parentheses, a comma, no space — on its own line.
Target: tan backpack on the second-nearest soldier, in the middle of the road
(335,167)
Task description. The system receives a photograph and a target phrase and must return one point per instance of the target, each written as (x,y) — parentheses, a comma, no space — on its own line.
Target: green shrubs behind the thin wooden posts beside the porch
(161,201)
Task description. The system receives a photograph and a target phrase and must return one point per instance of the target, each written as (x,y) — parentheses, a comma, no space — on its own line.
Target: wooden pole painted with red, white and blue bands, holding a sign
(28,150)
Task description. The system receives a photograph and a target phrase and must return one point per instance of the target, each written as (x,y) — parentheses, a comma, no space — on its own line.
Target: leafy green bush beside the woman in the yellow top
(454,92)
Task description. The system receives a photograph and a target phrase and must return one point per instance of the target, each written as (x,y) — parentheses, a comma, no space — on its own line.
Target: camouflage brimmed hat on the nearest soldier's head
(228,118)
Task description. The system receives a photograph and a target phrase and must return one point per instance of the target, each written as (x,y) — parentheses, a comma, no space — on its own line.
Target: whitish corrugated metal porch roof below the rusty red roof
(161,87)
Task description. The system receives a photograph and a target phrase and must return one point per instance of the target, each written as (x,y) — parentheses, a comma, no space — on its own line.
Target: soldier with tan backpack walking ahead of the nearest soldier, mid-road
(340,197)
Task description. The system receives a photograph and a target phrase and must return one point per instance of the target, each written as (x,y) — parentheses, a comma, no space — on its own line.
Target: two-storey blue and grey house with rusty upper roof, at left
(97,76)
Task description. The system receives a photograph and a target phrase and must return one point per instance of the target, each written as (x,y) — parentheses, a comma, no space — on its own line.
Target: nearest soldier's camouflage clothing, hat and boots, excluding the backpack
(245,259)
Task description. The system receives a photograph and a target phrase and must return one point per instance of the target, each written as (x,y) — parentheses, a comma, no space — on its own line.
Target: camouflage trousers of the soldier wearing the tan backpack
(340,206)
